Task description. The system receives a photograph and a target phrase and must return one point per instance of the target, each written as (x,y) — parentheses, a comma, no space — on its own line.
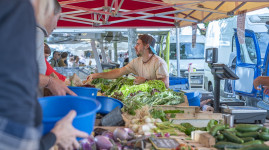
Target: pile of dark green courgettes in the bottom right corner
(242,137)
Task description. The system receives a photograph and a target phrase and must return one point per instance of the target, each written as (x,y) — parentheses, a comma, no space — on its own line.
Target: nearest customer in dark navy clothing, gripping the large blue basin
(20,112)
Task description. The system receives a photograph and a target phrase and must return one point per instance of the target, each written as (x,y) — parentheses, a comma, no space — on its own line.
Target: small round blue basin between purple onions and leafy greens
(108,104)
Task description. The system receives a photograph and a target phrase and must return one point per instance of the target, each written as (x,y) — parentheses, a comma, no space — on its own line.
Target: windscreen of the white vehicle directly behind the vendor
(187,52)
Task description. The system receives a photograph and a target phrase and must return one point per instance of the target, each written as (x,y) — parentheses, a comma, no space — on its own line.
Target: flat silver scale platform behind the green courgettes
(245,114)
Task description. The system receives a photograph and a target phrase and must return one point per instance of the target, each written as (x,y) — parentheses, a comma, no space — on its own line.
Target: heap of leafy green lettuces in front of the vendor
(134,97)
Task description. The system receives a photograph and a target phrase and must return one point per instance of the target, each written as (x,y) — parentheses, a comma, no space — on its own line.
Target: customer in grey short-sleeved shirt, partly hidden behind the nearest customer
(57,87)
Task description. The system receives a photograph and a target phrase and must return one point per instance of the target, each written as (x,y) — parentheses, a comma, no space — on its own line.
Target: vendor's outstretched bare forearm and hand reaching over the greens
(113,74)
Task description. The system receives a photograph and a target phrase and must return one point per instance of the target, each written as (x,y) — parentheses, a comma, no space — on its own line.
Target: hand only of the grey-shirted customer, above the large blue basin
(58,87)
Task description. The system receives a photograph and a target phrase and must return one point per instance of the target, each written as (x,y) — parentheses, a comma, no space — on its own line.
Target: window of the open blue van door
(248,52)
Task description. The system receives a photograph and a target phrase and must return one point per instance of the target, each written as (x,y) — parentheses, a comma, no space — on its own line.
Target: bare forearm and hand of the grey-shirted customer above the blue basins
(56,86)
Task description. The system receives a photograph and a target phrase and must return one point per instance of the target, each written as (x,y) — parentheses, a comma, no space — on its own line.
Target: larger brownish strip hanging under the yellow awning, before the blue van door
(241,26)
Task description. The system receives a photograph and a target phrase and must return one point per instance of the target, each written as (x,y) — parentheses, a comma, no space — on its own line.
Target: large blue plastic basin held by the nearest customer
(56,107)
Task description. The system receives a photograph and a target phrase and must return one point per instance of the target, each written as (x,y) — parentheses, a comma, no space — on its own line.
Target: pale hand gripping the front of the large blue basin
(66,134)
